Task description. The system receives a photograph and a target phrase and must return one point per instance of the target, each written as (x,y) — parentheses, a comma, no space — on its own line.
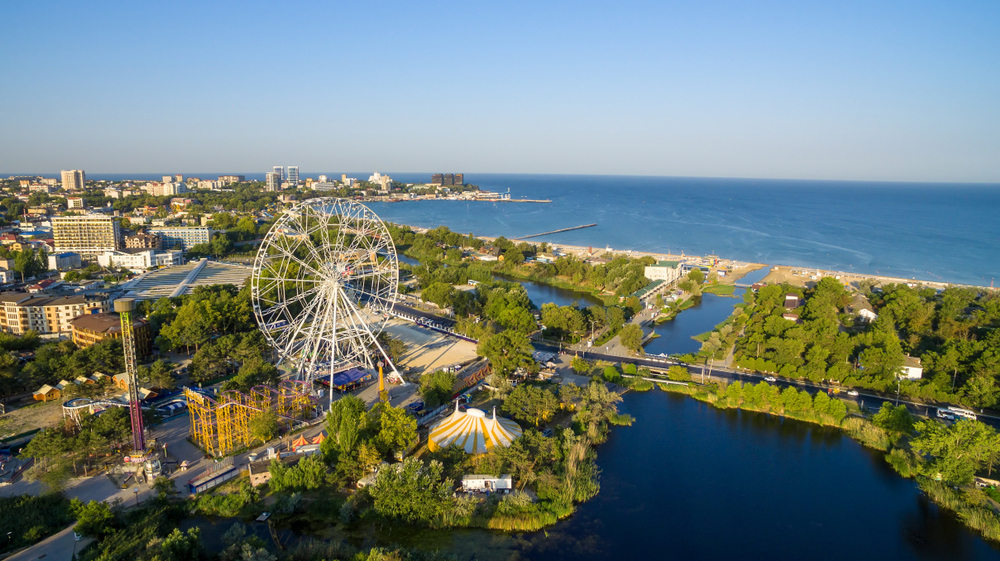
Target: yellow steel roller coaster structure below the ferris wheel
(222,426)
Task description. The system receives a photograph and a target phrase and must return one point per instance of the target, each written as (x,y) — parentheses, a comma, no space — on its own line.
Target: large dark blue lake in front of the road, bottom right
(688,481)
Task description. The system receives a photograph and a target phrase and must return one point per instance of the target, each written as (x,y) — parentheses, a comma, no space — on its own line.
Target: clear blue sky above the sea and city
(906,90)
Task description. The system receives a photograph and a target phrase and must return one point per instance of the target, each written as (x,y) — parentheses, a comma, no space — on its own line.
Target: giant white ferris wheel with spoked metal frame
(323,276)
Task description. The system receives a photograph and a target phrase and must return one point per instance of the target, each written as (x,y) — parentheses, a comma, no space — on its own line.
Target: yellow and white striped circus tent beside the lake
(473,431)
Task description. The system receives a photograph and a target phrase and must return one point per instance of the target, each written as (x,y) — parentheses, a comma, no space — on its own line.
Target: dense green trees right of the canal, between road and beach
(953,332)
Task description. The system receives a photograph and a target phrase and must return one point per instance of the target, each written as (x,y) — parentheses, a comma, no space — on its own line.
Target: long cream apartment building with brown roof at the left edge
(22,312)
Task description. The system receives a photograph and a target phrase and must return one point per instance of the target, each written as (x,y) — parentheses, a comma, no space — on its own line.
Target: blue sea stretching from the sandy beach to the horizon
(925,231)
